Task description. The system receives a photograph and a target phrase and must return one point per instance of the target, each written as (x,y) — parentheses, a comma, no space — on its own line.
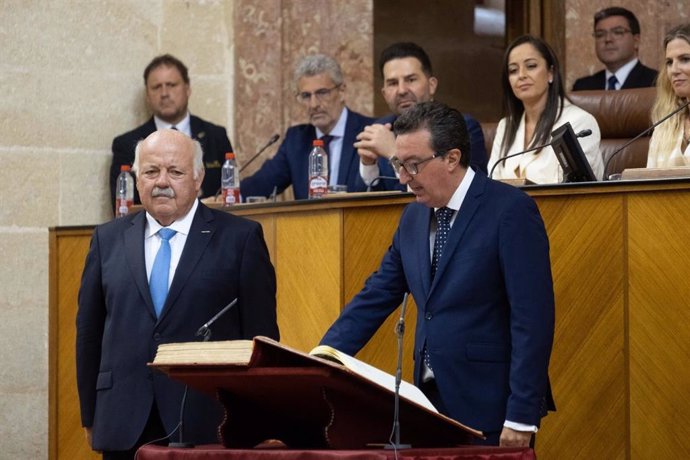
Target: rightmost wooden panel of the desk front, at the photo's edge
(659,250)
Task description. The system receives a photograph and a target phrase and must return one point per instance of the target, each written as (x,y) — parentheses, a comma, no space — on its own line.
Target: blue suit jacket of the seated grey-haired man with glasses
(289,165)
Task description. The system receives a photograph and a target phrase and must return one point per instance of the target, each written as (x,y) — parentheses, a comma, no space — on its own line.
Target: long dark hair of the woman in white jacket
(514,107)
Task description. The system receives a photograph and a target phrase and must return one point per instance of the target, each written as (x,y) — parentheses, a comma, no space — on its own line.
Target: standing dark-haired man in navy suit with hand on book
(485,305)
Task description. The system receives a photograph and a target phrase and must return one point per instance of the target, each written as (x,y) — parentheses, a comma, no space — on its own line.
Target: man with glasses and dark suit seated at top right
(617,40)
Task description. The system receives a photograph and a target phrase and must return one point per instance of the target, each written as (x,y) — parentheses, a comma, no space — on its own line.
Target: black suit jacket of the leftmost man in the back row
(214,141)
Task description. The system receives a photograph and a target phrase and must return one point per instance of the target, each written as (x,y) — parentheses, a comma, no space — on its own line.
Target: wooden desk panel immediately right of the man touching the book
(588,360)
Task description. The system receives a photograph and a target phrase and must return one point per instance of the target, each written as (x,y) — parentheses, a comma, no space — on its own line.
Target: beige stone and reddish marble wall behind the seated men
(71,80)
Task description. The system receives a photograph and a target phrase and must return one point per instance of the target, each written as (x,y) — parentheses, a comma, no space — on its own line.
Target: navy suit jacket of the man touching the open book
(487,317)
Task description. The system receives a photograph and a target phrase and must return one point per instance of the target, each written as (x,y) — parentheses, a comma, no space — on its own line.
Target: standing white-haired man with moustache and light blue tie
(126,311)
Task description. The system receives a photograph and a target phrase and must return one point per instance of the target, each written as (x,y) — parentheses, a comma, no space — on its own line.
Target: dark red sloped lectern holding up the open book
(310,403)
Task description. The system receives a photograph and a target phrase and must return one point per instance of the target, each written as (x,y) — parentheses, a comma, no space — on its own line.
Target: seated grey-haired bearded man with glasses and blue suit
(321,92)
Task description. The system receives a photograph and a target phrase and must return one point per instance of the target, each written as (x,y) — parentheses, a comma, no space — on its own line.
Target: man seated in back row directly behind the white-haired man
(168,89)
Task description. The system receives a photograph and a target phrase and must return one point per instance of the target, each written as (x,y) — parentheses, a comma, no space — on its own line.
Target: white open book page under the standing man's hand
(381,378)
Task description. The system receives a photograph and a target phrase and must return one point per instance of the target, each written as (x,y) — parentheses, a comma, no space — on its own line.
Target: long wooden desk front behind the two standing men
(619,254)
